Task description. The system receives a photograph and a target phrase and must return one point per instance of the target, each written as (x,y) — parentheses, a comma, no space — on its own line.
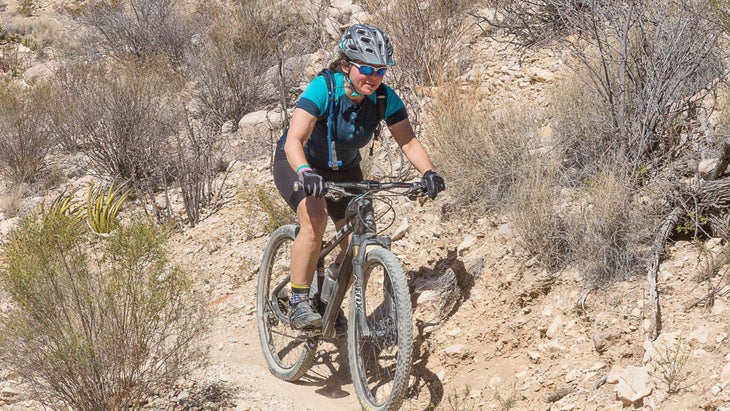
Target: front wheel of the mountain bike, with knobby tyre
(380,361)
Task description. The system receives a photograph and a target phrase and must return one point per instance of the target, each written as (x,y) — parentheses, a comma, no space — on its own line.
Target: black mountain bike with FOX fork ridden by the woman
(379,330)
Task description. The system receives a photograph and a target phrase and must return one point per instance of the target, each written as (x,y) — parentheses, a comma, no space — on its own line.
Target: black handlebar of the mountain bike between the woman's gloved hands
(337,191)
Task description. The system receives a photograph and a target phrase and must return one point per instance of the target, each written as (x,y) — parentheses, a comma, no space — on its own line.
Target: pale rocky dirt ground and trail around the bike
(510,340)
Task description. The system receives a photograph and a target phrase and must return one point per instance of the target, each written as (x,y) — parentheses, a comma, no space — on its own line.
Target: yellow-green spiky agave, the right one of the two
(103,205)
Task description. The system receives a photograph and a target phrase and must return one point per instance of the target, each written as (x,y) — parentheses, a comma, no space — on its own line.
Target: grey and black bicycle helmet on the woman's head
(367,44)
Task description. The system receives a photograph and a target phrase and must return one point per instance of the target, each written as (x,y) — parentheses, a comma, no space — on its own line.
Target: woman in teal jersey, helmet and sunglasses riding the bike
(306,152)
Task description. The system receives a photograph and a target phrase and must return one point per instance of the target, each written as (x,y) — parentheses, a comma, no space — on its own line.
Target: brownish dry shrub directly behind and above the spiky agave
(122,118)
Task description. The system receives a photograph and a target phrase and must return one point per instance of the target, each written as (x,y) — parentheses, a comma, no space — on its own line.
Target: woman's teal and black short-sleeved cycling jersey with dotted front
(353,126)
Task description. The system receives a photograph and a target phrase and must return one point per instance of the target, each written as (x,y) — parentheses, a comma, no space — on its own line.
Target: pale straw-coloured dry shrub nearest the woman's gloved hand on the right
(482,153)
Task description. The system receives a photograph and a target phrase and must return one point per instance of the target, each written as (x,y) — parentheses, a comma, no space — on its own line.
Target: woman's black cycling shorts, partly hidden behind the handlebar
(284,178)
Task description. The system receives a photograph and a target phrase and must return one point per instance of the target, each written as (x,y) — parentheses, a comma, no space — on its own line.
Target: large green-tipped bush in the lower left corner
(98,322)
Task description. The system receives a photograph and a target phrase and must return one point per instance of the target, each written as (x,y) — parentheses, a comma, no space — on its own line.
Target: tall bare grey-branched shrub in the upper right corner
(622,48)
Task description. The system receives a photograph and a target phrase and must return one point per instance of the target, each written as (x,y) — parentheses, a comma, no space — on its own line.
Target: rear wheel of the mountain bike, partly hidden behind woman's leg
(288,353)
